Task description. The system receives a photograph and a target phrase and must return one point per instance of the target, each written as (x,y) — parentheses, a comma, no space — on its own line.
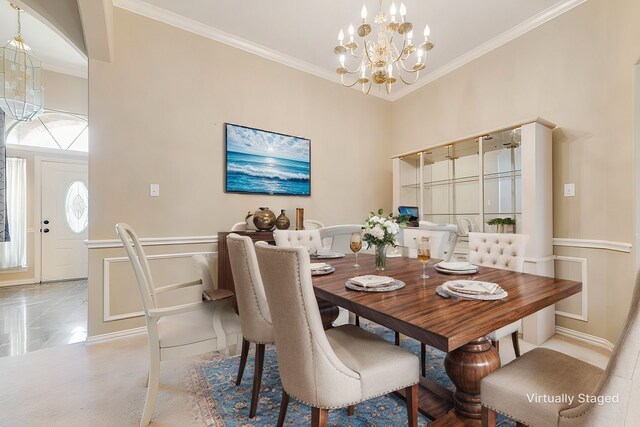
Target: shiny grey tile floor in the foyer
(33,317)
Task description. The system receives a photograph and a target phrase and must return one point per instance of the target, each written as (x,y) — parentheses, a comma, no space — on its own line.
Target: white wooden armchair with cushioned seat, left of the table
(177,331)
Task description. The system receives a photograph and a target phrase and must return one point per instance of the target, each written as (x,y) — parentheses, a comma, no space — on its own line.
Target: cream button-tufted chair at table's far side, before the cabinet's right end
(499,250)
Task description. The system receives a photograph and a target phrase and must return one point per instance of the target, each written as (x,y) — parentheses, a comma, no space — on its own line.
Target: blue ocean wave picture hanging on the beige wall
(263,162)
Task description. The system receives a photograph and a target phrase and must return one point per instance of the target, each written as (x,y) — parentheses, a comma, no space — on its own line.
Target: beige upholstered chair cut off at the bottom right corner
(544,372)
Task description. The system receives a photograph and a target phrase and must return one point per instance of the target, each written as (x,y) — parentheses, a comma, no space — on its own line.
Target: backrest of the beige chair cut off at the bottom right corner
(621,379)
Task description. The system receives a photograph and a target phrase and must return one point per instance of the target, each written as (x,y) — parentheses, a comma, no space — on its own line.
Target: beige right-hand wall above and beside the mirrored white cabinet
(576,71)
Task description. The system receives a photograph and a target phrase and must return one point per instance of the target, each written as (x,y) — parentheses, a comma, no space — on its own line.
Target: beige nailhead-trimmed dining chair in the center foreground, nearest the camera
(326,369)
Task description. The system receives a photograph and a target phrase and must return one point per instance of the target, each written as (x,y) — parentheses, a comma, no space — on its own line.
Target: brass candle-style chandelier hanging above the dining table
(386,56)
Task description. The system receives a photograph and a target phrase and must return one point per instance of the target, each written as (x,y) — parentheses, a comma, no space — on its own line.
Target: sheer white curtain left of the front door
(14,253)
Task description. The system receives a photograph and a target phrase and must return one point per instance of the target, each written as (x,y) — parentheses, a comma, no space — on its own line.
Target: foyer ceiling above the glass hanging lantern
(47,45)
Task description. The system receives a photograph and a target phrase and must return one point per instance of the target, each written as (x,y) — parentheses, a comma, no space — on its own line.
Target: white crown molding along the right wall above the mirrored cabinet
(504,38)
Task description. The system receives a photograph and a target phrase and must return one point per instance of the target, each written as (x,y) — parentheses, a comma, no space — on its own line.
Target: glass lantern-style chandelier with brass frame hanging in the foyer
(20,77)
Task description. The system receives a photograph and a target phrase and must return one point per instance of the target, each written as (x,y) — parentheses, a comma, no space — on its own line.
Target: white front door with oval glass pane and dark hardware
(64,220)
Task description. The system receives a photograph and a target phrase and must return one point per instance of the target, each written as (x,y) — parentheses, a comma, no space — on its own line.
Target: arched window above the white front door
(53,130)
